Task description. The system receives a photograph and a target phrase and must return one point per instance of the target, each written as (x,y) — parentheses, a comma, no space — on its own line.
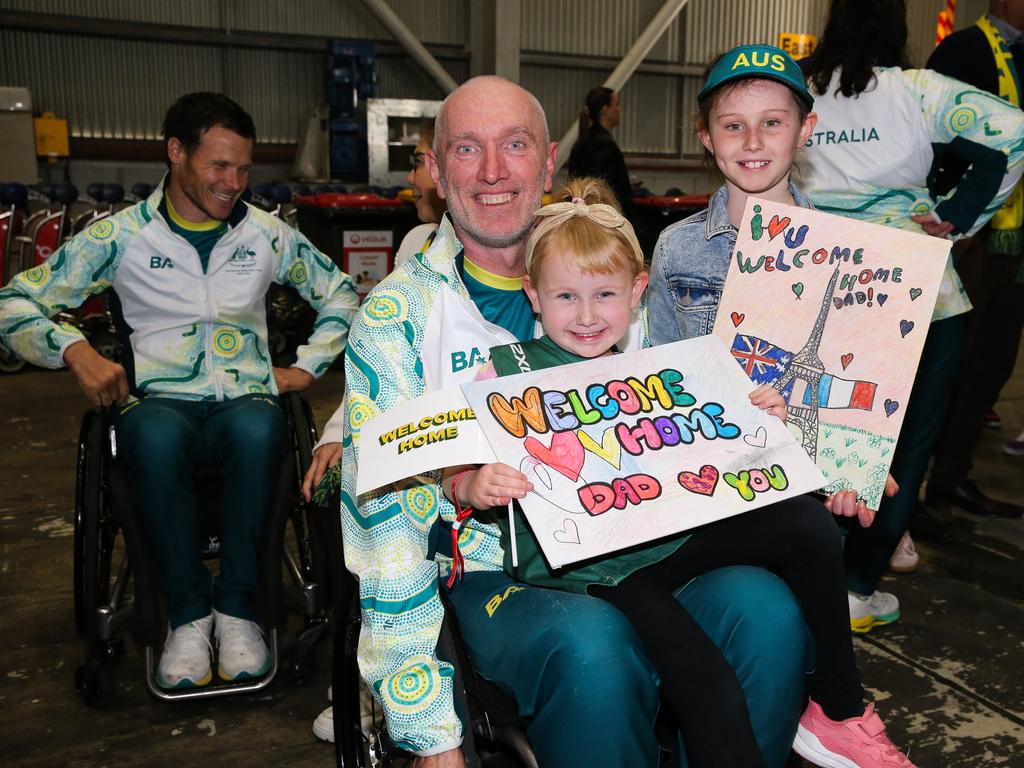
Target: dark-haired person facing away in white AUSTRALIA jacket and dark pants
(916,121)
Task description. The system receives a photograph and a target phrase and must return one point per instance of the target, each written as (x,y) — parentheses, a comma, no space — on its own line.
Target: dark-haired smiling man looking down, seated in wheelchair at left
(190,268)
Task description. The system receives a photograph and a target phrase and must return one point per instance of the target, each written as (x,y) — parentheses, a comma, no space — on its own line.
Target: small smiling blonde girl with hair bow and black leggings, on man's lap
(585,279)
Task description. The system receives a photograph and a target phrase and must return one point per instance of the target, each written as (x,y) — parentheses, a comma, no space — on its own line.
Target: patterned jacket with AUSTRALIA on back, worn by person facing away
(870,157)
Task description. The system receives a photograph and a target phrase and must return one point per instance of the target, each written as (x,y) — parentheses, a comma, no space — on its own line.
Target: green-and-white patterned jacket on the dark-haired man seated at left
(191,335)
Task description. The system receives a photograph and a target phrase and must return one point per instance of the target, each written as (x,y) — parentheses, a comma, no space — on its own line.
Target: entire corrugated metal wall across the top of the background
(120,89)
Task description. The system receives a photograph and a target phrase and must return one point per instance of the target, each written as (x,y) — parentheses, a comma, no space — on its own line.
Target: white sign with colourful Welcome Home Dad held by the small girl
(631,448)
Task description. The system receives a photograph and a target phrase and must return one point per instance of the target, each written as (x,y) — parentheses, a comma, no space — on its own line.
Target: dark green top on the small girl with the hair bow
(533,569)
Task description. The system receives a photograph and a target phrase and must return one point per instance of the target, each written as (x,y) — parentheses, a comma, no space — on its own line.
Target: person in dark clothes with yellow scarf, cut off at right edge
(989,56)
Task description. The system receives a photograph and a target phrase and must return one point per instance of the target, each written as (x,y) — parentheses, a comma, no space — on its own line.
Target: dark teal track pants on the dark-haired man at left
(164,441)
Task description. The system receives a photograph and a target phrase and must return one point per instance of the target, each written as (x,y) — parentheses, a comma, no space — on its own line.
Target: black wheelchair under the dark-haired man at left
(111,554)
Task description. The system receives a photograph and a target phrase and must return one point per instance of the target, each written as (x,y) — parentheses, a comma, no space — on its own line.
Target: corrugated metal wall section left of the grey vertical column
(116,89)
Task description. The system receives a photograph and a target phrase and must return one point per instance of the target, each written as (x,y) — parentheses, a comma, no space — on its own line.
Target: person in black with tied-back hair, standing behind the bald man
(595,153)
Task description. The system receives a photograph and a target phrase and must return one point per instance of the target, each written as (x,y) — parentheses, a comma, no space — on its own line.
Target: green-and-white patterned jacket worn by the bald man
(417,331)
